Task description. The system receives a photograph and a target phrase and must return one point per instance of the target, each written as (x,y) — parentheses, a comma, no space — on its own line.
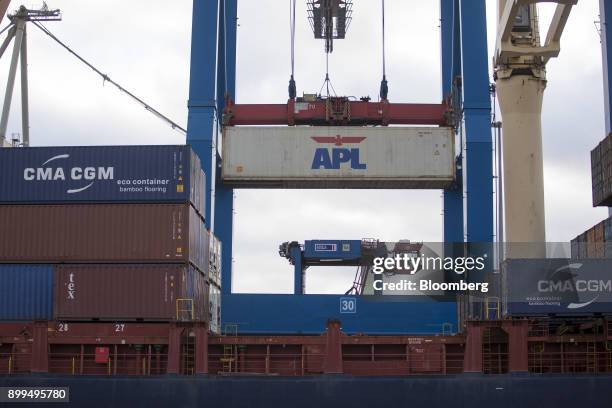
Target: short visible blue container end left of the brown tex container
(26,292)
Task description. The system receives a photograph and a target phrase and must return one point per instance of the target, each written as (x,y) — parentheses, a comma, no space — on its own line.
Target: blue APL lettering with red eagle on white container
(333,158)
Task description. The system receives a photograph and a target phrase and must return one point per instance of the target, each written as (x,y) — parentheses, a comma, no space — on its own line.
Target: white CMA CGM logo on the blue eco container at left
(51,171)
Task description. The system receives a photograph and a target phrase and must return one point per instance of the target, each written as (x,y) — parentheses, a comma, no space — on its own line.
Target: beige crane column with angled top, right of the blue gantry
(520,77)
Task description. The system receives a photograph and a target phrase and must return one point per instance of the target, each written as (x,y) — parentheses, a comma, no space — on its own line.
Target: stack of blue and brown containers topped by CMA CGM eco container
(104,234)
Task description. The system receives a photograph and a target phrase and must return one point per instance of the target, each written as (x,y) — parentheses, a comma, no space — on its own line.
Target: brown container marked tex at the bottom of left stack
(130,292)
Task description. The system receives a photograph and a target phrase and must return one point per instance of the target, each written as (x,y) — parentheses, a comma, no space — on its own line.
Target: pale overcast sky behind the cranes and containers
(145,45)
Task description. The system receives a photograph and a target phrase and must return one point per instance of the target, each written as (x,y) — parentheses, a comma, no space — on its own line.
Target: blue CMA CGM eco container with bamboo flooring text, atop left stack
(101,174)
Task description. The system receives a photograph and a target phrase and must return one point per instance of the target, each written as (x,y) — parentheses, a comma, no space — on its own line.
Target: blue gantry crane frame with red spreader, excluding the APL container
(468,204)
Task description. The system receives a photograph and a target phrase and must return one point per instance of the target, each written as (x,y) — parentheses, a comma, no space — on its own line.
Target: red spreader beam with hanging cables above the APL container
(329,20)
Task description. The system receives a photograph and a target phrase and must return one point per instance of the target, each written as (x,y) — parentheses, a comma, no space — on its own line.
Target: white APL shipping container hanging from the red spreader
(339,157)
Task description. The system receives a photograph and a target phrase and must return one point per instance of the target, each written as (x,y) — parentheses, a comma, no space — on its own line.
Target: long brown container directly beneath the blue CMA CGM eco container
(101,233)
